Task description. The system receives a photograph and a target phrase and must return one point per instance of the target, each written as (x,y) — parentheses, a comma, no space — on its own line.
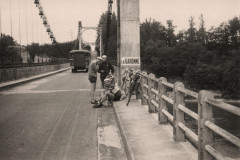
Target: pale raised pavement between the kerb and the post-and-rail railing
(146,139)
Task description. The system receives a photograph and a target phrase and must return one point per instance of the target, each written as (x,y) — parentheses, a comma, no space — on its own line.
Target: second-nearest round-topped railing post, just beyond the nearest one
(178,115)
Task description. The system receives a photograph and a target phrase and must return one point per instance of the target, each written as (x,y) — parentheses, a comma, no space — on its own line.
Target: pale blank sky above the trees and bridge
(63,16)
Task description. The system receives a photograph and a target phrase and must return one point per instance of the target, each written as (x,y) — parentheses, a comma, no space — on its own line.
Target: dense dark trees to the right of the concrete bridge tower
(204,59)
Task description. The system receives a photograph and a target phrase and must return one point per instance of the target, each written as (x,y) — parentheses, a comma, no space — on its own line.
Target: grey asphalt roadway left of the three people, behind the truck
(50,118)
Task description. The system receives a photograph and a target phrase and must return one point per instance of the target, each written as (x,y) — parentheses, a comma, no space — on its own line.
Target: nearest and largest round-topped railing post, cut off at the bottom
(205,135)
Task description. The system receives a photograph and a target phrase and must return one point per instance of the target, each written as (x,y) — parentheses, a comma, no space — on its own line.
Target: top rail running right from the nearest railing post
(224,106)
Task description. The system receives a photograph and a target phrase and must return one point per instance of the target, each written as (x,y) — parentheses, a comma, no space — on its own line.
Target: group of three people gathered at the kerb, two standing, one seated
(106,70)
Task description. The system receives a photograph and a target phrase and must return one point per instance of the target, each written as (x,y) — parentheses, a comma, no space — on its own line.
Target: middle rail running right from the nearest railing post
(235,140)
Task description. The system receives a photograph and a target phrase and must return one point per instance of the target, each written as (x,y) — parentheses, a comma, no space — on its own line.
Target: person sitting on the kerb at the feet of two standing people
(111,92)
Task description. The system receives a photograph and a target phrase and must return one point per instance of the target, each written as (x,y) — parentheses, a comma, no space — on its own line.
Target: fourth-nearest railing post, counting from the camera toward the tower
(151,107)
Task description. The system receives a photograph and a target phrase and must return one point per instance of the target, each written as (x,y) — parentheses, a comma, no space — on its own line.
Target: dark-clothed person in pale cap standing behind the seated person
(104,69)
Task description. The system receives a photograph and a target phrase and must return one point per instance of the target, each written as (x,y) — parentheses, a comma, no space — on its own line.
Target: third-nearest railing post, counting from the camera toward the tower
(162,119)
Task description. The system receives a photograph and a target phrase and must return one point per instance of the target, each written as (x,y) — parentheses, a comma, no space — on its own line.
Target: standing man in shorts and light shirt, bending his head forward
(92,76)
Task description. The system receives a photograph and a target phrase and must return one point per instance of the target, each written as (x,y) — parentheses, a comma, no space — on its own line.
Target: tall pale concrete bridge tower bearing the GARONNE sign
(128,35)
